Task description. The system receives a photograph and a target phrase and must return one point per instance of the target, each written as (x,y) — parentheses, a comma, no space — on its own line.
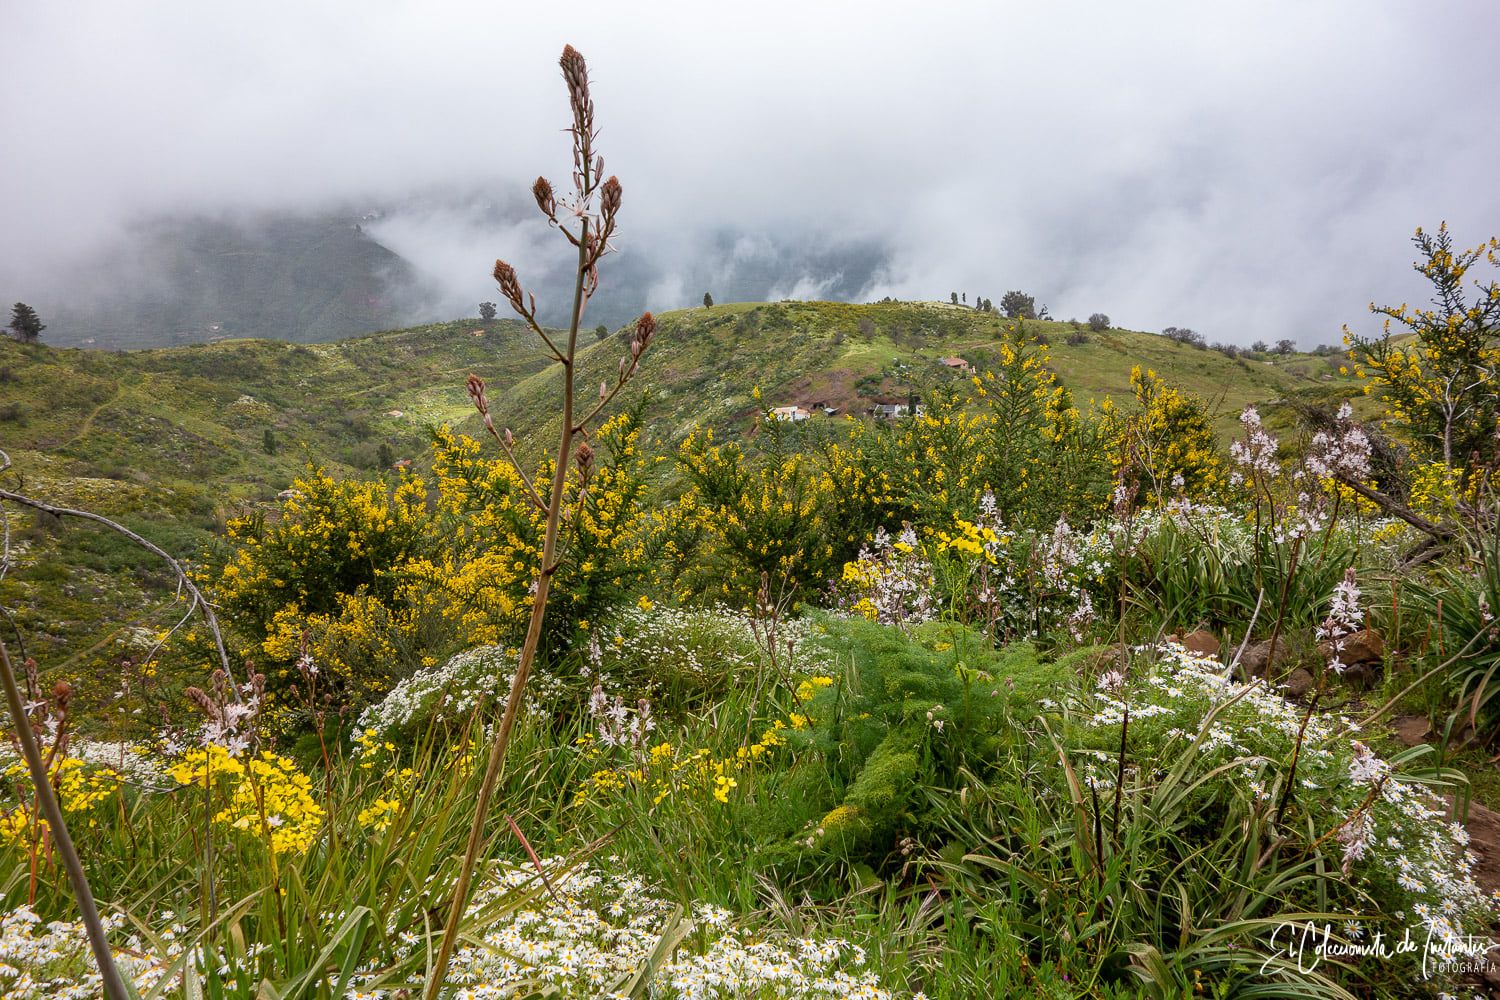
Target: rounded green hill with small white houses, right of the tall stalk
(706,364)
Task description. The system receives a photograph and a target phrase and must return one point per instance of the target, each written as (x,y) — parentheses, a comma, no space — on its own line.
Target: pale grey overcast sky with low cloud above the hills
(1252,170)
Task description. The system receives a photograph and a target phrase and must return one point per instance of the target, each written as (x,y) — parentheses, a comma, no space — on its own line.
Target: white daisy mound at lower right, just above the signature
(1400,851)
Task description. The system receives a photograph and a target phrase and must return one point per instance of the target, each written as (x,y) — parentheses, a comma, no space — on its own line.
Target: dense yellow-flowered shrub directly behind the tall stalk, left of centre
(373,581)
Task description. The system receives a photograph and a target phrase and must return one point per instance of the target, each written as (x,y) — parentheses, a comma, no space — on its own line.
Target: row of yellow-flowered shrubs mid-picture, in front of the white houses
(805,516)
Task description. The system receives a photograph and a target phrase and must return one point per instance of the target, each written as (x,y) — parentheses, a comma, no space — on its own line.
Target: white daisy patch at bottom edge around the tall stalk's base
(599,929)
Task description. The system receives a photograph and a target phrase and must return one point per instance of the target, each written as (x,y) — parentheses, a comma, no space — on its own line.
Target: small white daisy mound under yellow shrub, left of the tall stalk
(452,692)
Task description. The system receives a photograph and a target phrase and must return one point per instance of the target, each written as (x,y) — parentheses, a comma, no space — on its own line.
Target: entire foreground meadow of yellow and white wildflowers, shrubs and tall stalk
(1013,693)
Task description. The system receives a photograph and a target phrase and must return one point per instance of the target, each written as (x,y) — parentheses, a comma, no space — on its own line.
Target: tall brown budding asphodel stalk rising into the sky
(589,223)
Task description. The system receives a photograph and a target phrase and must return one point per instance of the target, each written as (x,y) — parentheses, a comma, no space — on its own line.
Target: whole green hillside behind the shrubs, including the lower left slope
(173,442)
